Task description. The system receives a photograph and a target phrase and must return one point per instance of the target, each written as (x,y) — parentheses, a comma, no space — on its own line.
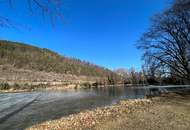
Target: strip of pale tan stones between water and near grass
(90,118)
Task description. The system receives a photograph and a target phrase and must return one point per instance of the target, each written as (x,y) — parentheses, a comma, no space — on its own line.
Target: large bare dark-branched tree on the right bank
(167,42)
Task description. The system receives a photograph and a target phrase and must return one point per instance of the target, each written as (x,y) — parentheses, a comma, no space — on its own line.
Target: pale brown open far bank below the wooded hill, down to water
(22,80)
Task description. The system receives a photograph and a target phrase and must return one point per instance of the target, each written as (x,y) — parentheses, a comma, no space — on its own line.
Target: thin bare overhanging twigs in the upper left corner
(50,8)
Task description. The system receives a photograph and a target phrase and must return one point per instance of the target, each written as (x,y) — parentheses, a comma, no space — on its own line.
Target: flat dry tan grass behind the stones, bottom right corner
(166,113)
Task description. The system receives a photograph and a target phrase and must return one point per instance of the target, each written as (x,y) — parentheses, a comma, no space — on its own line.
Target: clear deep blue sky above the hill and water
(100,31)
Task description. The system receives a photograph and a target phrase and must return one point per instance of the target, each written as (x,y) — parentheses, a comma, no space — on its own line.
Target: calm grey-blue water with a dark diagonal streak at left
(21,110)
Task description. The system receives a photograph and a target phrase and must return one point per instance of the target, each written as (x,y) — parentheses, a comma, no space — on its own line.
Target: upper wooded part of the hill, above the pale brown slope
(25,56)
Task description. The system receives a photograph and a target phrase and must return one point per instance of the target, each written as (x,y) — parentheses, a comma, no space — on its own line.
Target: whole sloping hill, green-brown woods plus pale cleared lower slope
(32,63)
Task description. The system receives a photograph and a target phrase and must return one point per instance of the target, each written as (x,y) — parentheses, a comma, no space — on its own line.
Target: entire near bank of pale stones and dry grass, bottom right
(166,112)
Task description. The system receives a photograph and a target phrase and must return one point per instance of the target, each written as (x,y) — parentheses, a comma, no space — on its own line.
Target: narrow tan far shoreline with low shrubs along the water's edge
(29,87)
